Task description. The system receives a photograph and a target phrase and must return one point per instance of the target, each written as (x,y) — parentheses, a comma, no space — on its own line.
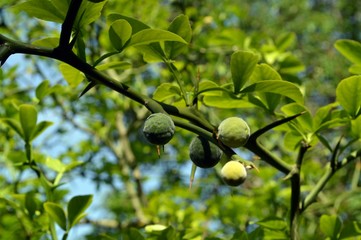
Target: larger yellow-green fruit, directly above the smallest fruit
(233,132)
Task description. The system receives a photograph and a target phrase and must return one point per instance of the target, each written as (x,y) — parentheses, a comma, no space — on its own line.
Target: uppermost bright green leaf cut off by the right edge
(350,49)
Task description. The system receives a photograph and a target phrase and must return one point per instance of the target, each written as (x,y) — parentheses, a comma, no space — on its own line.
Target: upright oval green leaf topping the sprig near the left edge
(28,118)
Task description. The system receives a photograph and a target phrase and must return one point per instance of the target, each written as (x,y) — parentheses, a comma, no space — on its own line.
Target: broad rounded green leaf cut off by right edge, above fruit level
(348,95)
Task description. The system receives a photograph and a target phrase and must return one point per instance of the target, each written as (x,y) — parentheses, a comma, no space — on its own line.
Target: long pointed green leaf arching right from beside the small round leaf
(148,36)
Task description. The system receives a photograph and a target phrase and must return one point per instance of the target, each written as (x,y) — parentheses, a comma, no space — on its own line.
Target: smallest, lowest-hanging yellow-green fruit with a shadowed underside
(233,173)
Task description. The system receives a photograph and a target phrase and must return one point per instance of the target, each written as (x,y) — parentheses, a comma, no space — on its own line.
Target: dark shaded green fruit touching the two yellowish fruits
(203,153)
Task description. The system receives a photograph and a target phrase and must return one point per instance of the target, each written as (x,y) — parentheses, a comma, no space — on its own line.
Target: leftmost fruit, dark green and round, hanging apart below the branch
(158,128)
